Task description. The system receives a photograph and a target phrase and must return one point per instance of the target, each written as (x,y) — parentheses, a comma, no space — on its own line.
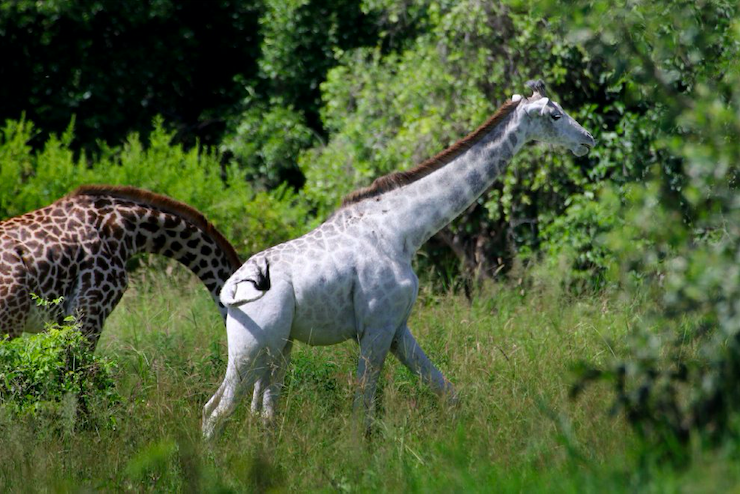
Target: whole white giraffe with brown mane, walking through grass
(351,278)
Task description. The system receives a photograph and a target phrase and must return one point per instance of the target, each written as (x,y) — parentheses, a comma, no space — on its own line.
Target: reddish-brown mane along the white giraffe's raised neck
(396,180)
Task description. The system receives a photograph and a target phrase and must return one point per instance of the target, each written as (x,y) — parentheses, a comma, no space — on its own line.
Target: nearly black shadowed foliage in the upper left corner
(115,65)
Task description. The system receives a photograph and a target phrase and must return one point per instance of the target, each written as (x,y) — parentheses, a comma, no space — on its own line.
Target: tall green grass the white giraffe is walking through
(515,430)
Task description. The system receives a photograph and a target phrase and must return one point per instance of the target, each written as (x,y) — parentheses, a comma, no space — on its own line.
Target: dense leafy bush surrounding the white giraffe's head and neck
(386,111)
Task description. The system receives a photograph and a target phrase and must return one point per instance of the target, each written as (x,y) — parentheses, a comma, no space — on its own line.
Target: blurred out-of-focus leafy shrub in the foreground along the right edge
(680,234)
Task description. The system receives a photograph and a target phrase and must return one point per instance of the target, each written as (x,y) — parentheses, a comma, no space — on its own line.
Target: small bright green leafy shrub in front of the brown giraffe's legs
(54,373)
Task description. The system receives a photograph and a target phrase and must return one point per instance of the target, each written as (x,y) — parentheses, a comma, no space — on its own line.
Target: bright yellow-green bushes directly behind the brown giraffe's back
(251,219)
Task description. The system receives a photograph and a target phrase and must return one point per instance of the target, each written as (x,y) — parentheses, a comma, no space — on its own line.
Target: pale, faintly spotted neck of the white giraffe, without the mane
(415,212)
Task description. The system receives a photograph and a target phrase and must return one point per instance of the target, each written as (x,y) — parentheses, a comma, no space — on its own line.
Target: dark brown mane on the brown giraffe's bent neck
(168,205)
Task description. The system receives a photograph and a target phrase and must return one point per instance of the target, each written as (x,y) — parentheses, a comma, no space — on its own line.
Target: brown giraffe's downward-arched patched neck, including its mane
(132,221)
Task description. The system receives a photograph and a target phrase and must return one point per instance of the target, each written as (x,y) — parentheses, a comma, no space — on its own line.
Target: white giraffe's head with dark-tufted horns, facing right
(547,122)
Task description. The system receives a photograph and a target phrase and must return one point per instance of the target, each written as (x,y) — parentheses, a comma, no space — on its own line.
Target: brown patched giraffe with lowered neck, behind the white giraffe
(78,246)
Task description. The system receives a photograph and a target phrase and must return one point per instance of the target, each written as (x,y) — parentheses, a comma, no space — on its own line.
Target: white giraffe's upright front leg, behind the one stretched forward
(374,346)
